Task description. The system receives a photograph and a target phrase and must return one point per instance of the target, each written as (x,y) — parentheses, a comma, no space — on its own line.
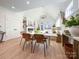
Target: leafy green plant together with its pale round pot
(73,24)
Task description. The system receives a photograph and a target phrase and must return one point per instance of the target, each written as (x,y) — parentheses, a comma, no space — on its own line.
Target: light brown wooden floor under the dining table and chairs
(12,50)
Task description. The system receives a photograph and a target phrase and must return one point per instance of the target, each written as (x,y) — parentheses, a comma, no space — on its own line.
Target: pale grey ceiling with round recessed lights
(21,5)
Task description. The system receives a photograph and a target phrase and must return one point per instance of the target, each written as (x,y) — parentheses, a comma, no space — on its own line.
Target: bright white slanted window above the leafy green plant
(72,8)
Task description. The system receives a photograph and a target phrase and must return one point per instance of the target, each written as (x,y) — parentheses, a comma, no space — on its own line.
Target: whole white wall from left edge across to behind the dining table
(11,22)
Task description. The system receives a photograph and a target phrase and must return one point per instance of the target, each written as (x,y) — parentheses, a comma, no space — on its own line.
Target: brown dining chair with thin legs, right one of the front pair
(40,39)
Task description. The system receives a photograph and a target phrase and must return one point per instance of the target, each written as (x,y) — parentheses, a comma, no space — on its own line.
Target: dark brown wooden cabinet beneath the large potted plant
(71,50)
